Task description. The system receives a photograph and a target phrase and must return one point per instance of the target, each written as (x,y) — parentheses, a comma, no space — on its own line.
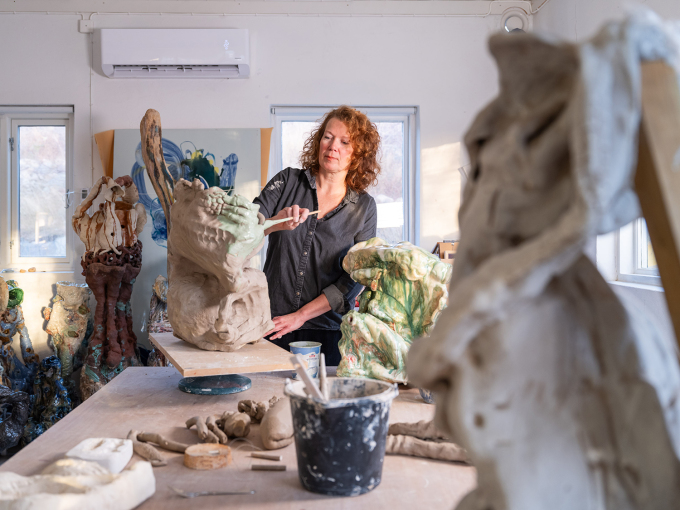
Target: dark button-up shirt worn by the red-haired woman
(303,263)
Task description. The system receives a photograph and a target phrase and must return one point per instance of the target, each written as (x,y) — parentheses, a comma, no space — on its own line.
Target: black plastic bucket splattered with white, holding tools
(341,444)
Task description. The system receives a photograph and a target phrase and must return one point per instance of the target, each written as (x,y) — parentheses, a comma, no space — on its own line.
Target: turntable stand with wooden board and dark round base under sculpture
(215,372)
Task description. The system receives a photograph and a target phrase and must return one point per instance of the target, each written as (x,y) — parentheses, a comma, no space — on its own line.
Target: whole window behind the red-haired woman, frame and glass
(396,191)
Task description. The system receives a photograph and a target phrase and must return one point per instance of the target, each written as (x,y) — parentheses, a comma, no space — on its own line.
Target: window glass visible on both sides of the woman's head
(388,193)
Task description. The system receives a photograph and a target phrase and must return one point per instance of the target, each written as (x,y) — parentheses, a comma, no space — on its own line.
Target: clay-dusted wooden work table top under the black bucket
(147,399)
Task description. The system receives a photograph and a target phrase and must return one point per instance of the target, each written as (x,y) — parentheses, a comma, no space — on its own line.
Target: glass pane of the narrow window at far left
(42,191)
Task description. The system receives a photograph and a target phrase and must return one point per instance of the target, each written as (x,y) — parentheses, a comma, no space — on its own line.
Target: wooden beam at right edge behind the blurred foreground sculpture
(657,180)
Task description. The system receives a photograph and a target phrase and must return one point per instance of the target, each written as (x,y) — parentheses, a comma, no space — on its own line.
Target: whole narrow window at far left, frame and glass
(37,180)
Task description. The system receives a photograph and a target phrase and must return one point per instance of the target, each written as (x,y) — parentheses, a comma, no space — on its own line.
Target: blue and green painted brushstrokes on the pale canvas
(183,162)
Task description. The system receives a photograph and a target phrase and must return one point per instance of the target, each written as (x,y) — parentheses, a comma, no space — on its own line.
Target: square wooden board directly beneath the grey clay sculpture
(191,361)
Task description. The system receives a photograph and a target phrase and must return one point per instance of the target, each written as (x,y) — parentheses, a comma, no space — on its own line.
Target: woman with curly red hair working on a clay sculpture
(308,289)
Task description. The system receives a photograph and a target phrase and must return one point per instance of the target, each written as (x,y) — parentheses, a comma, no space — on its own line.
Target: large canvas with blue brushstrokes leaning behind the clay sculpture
(229,158)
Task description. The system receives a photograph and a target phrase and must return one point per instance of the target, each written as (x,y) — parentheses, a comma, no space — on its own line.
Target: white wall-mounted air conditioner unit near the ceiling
(175,53)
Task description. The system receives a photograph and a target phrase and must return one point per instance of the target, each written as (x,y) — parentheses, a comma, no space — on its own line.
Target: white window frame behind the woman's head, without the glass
(410,171)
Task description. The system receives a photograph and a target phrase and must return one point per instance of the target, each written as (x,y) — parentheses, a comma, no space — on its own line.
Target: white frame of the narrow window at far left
(10,119)
